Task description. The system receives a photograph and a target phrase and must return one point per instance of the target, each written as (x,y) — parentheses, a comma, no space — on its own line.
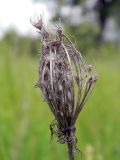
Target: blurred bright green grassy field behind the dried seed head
(25,117)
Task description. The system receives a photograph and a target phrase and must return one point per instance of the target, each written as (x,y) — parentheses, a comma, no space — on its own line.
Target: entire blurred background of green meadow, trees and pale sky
(94,27)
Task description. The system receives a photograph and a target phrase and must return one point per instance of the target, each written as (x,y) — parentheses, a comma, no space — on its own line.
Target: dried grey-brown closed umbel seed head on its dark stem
(66,82)
